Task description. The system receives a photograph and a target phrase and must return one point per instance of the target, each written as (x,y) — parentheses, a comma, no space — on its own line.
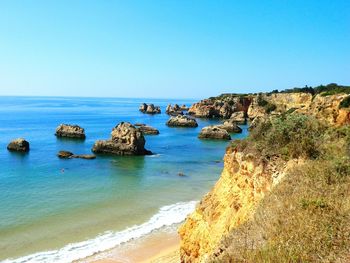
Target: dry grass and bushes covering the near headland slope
(306,218)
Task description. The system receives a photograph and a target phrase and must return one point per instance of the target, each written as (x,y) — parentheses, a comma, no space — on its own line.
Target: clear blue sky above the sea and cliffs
(171,48)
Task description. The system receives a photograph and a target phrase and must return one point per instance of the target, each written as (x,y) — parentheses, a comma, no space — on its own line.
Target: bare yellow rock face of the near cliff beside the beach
(243,183)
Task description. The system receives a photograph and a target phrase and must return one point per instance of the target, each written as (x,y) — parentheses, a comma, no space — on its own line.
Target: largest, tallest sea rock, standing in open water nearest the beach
(126,140)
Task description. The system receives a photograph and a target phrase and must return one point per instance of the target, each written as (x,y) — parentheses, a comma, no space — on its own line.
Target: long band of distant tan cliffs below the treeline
(332,107)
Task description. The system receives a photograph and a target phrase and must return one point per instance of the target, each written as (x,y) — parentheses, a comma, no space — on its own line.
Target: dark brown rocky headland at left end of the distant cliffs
(220,107)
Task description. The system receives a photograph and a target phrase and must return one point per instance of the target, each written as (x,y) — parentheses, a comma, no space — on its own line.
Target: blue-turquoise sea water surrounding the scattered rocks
(44,209)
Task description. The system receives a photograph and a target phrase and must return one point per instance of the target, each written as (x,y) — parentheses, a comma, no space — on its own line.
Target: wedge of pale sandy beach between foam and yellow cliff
(157,247)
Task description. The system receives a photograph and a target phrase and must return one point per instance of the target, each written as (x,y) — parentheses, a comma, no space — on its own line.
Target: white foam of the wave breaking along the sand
(167,216)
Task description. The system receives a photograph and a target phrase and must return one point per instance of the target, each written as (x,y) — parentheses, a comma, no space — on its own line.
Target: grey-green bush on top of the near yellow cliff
(288,136)
